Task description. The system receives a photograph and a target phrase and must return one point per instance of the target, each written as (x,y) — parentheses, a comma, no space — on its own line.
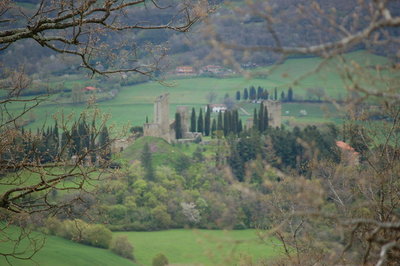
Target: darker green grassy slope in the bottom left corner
(61,252)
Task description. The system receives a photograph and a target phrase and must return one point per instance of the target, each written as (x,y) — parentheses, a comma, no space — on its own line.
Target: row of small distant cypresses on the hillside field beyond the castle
(264,94)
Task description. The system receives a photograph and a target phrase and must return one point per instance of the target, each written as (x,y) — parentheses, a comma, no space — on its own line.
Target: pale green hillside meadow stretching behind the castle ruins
(134,103)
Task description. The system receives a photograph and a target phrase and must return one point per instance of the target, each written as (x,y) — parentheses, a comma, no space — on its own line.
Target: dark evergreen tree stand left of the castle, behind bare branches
(49,145)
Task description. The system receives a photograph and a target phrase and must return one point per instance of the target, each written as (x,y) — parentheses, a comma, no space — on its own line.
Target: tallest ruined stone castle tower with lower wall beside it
(162,127)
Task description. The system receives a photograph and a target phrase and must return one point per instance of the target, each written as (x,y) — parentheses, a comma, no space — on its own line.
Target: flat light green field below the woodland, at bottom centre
(200,247)
